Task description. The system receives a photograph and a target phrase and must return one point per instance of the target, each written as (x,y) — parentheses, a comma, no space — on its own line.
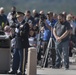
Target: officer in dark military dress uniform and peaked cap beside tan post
(21,45)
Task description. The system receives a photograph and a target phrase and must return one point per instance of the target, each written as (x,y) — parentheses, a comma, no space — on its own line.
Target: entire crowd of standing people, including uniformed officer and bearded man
(34,29)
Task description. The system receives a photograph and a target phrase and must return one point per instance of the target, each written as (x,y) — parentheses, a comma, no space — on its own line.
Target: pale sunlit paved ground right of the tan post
(50,71)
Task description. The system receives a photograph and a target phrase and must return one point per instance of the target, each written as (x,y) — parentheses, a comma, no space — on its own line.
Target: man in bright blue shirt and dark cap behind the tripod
(48,28)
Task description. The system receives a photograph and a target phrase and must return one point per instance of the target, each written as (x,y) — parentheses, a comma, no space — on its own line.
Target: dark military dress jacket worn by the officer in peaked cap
(21,36)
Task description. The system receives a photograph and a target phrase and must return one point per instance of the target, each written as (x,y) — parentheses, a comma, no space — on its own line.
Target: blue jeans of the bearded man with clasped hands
(62,47)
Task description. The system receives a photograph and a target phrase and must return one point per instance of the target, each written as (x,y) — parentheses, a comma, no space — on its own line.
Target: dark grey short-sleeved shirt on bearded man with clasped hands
(61,28)
